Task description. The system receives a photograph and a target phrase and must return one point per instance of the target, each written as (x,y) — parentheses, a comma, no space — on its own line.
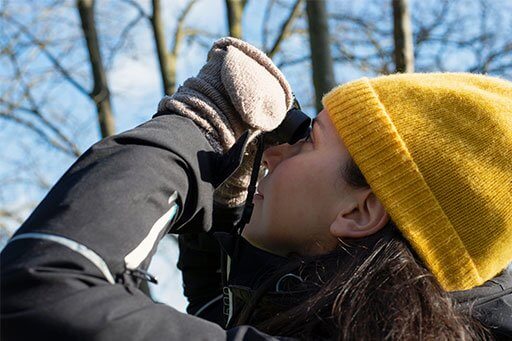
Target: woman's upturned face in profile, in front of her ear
(301,194)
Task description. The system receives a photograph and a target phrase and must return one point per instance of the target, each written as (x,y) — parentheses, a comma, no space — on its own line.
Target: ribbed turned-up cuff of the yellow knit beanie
(377,148)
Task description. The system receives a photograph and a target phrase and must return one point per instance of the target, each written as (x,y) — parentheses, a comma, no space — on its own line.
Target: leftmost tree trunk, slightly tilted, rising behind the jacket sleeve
(100,93)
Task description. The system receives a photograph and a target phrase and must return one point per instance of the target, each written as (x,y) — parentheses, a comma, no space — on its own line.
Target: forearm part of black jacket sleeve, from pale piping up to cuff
(127,191)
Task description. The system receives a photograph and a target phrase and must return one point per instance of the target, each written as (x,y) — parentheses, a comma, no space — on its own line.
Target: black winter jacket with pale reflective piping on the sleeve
(73,268)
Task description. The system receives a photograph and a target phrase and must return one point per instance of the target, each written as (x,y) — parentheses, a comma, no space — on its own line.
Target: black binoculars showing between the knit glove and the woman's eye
(295,126)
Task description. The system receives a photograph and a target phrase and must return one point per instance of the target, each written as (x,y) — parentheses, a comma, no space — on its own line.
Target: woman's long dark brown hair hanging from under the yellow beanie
(369,289)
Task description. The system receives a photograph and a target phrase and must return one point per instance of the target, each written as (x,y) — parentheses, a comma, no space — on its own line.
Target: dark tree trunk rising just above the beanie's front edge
(321,58)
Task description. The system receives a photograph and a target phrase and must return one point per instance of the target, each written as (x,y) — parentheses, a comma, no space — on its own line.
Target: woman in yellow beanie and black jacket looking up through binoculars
(73,268)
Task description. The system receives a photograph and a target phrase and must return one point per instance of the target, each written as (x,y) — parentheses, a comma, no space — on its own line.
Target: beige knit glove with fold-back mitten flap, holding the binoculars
(238,89)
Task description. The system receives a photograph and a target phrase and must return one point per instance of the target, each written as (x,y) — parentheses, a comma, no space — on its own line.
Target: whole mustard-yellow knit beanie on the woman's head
(437,151)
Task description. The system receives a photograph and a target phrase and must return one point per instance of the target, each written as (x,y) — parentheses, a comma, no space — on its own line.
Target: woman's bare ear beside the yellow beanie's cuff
(361,218)
